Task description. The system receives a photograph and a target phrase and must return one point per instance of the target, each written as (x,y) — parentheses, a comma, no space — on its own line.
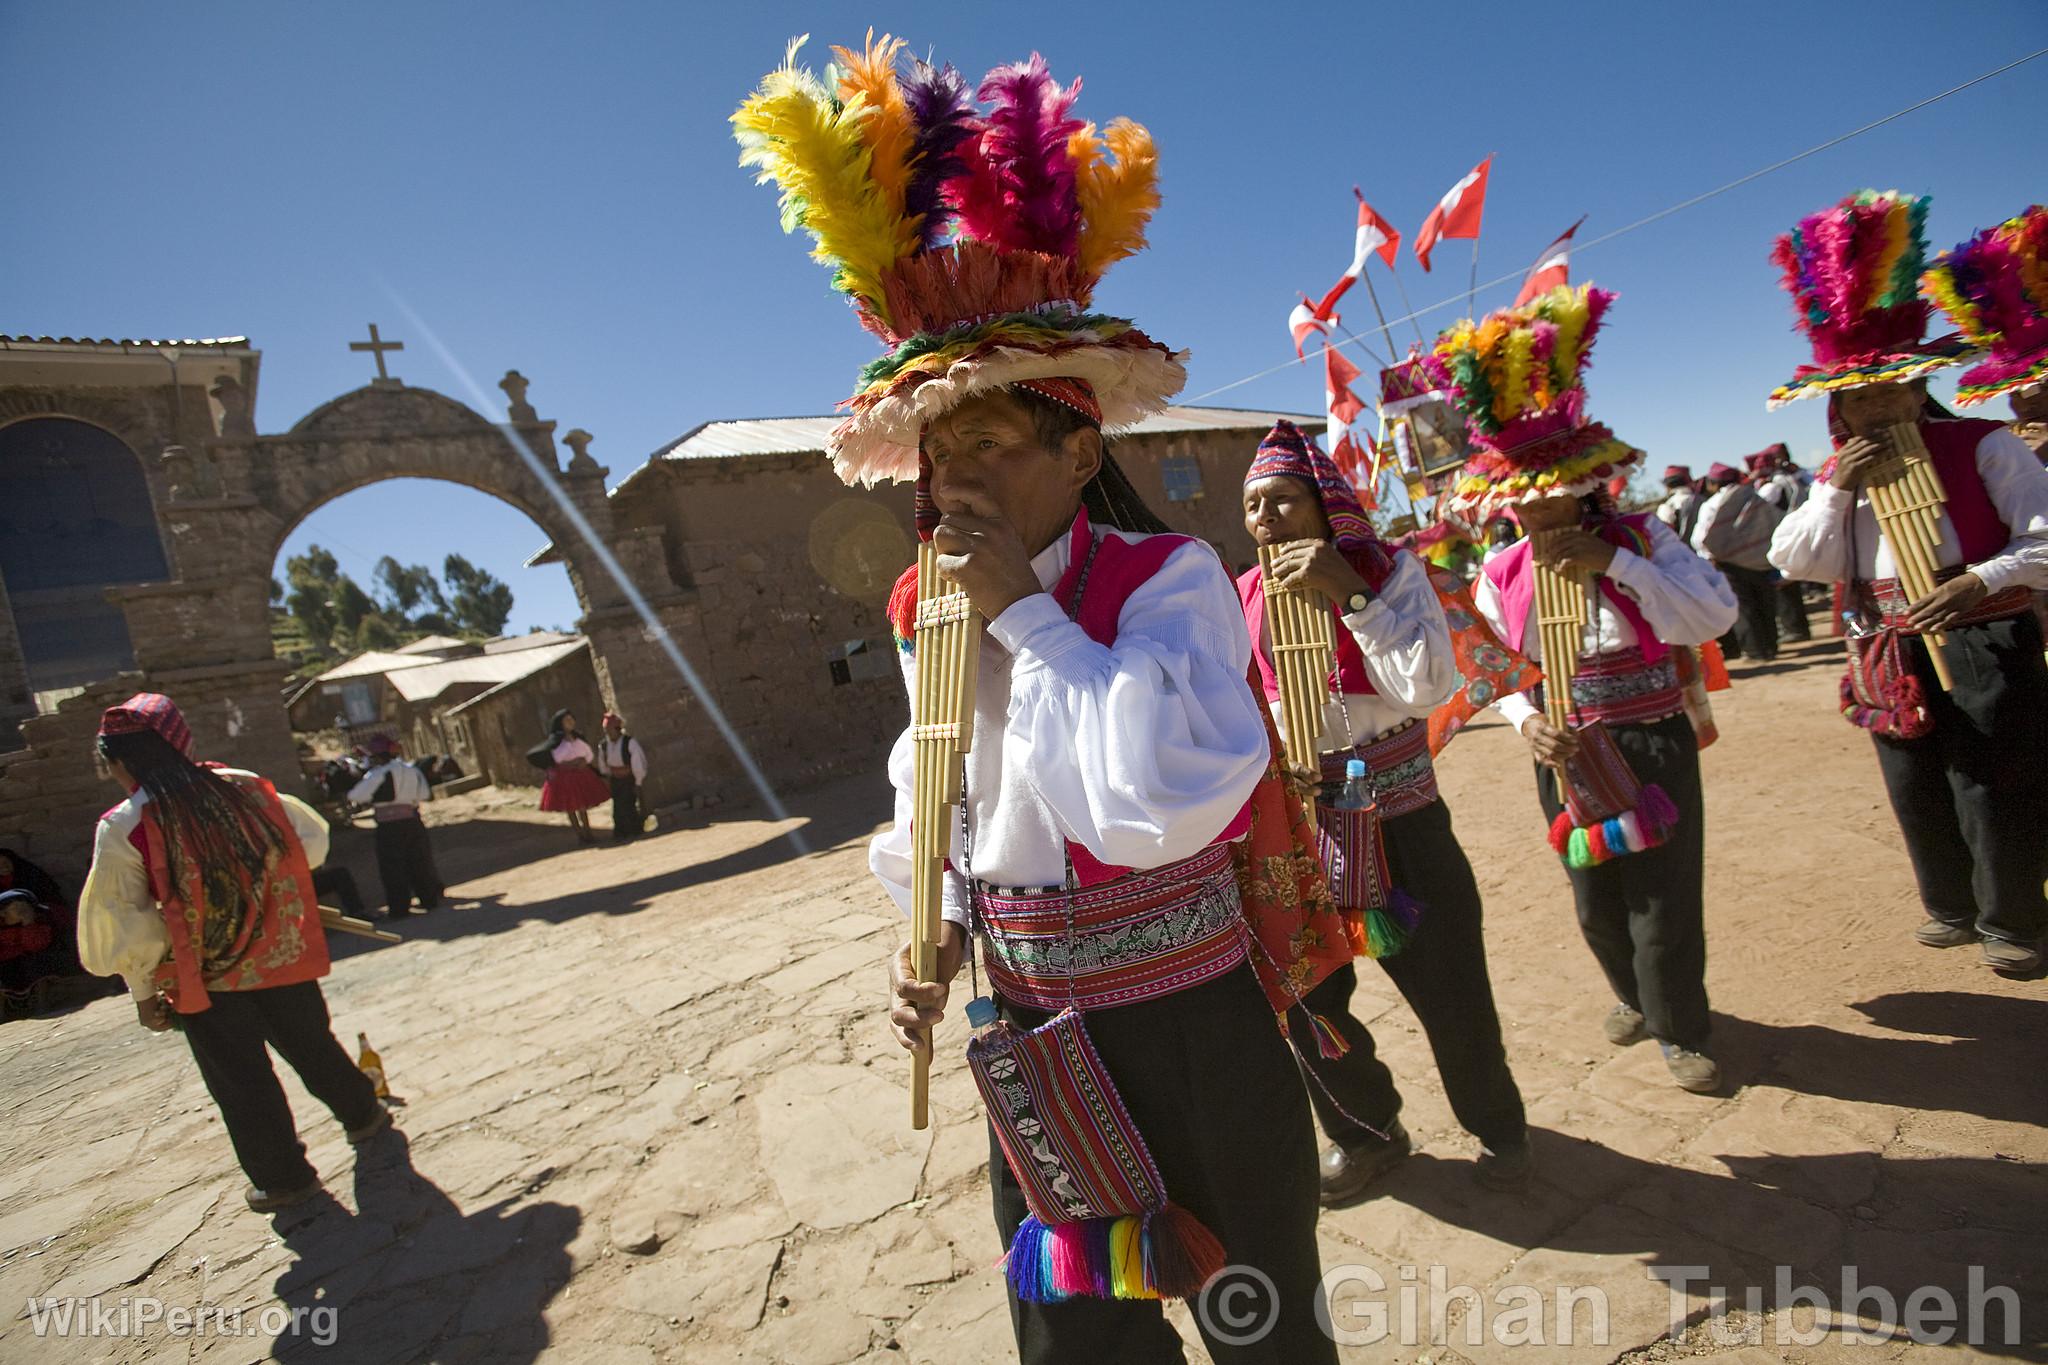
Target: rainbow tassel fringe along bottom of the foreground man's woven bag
(1160,1256)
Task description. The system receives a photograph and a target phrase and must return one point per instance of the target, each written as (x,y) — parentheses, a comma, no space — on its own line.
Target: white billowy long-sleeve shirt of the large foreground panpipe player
(1140,752)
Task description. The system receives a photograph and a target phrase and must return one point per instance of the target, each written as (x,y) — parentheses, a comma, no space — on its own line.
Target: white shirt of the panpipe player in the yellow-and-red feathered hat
(1682,599)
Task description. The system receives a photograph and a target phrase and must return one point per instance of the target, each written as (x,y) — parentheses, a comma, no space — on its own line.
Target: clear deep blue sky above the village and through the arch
(554,189)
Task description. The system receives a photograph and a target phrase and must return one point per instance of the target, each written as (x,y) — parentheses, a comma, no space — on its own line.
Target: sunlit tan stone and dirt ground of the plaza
(652,1114)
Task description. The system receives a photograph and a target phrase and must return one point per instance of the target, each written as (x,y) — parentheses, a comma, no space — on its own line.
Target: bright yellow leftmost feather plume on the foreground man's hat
(812,148)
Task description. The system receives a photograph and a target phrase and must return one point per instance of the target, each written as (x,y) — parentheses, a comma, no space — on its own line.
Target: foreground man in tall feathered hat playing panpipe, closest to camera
(1146,1120)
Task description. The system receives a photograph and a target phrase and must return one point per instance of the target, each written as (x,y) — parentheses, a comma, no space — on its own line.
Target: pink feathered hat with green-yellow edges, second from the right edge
(1854,279)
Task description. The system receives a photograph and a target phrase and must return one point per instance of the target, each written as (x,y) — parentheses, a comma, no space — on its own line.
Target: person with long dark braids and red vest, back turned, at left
(202,897)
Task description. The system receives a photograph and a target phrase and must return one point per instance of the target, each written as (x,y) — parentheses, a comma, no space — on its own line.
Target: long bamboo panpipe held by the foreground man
(949,658)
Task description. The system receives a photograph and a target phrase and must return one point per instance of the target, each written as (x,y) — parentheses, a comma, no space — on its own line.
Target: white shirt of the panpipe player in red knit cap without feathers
(1408,654)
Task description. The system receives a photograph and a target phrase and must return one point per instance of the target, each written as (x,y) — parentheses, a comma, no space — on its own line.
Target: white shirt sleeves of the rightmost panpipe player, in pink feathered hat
(1814,543)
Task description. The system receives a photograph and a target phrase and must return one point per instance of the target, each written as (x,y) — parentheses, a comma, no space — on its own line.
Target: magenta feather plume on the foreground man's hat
(1019,189)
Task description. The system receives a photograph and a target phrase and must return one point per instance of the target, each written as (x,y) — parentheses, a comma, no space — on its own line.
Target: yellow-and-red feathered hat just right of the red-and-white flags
(1519,380)
